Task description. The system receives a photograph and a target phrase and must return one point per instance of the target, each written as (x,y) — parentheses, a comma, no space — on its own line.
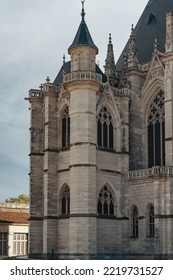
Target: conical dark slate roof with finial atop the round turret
(83,36)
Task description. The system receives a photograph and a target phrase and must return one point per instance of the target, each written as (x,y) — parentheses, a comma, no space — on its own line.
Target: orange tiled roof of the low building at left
(14,217)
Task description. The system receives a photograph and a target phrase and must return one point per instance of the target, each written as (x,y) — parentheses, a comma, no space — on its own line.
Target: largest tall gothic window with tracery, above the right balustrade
(156,132)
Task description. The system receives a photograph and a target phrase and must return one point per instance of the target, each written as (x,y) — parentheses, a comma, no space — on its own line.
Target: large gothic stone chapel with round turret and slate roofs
(101,161)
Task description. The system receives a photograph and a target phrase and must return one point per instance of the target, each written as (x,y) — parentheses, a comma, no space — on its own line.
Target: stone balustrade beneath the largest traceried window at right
(150,172)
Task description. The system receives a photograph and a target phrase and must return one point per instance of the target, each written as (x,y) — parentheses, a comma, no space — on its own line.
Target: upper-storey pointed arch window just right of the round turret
(105,135)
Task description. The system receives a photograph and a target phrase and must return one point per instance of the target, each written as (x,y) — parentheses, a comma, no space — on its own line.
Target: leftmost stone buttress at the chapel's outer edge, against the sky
(36,174)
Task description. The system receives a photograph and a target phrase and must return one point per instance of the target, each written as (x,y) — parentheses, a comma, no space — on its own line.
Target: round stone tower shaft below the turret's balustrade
(83,201)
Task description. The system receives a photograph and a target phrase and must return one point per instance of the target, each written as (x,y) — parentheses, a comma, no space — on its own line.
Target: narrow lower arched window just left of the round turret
(65,200)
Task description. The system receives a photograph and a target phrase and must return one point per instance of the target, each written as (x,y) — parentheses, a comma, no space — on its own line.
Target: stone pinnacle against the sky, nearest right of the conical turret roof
(110,69)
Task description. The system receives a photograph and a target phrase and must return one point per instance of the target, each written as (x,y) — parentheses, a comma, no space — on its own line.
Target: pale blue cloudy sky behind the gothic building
(34,36)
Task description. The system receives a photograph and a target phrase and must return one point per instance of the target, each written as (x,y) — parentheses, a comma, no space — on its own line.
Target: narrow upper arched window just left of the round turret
(65,128)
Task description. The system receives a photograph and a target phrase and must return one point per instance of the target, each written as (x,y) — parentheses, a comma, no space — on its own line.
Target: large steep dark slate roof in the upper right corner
(151,25)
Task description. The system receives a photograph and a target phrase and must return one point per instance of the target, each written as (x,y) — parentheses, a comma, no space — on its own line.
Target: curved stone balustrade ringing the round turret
(82,76)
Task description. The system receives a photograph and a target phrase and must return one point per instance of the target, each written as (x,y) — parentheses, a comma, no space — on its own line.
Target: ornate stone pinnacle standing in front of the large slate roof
(132,49)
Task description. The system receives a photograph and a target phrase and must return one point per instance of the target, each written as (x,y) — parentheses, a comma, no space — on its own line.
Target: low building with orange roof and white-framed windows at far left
(13,229)
